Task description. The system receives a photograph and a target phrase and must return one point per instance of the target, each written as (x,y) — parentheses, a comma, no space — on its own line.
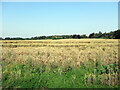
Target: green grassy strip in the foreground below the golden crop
(38,76)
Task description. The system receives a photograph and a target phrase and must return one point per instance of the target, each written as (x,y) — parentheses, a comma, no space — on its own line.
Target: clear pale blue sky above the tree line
(29,19)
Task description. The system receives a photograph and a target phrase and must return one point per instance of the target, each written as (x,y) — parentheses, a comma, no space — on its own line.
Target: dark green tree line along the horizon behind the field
(110,35)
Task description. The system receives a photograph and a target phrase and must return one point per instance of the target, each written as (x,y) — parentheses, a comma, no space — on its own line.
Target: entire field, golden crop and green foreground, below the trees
(64,63)
